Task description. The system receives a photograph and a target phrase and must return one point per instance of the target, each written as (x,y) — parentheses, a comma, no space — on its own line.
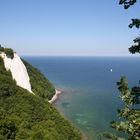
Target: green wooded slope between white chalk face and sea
(41,86)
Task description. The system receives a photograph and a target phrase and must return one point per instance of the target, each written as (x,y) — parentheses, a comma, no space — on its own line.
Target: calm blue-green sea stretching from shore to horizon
(90,97)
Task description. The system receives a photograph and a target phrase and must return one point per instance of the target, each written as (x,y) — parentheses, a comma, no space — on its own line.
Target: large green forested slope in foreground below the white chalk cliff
(24,116)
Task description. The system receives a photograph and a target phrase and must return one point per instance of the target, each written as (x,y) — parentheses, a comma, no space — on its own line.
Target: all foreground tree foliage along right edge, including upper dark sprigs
(130,113)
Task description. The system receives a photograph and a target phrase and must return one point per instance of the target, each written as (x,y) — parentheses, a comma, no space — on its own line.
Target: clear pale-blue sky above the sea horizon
(67,27)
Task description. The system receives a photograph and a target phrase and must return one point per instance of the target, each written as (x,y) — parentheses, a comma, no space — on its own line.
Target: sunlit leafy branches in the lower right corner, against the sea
(129,114)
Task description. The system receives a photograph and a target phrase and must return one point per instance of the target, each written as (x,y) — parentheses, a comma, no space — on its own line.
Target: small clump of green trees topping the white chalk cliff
(8,51)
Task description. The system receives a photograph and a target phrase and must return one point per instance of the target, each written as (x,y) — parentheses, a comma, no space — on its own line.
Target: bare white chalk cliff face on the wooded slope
(18,70)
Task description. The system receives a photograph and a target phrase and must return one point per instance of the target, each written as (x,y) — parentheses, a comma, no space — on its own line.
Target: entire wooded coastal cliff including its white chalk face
(24,116)
